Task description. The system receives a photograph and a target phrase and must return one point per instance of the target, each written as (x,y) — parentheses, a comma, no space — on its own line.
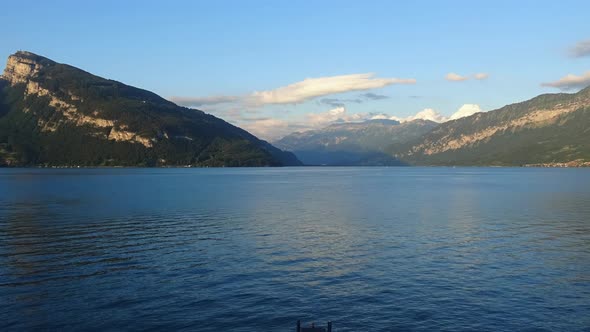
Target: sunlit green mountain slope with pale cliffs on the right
(548,129)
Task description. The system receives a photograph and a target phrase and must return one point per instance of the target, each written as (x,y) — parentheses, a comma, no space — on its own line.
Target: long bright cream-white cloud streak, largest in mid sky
(322,86)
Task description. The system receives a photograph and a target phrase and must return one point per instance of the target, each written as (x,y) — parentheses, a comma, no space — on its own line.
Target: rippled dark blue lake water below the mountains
(372,249)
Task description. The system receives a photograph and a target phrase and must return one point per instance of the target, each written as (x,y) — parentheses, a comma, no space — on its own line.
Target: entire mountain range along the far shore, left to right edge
(55,114)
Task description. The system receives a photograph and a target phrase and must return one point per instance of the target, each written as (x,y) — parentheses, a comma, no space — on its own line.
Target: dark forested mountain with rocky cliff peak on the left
(56,114)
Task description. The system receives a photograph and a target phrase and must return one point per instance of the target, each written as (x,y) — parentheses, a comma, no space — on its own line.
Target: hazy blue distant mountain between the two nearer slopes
(357,143)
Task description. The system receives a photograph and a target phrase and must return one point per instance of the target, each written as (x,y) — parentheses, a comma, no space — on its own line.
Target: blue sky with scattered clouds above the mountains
(247,61)
